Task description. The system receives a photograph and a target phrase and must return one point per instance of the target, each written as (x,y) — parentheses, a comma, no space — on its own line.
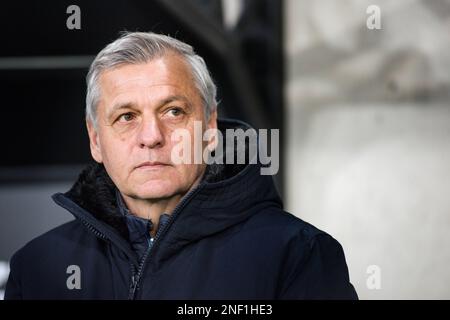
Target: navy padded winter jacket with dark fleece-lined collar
(228,238)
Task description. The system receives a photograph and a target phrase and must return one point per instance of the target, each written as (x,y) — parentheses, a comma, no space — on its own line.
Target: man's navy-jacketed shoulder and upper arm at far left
(39,269)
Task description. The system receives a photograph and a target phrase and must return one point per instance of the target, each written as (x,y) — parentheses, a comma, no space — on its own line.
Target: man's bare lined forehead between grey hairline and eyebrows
(167,73)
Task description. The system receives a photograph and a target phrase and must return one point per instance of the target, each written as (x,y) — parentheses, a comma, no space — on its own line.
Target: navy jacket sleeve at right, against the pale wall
(317,270)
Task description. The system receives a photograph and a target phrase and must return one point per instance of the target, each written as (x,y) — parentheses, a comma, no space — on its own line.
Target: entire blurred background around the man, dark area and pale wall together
(360,91)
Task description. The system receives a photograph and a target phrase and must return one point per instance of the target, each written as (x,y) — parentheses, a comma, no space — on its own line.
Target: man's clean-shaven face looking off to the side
(140,106)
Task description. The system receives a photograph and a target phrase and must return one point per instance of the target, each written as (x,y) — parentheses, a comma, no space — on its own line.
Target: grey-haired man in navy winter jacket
(148,227)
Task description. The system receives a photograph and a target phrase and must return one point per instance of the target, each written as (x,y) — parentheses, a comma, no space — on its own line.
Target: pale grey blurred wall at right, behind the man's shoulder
(369,137)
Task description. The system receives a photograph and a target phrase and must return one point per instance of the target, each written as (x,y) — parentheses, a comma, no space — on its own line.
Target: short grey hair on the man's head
(141,47)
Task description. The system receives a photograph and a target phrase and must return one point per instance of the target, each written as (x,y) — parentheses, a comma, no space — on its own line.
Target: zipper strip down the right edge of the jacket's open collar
(136,277)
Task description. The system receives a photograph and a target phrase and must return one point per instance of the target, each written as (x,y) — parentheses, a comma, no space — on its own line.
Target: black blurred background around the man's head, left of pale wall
(43,66)
